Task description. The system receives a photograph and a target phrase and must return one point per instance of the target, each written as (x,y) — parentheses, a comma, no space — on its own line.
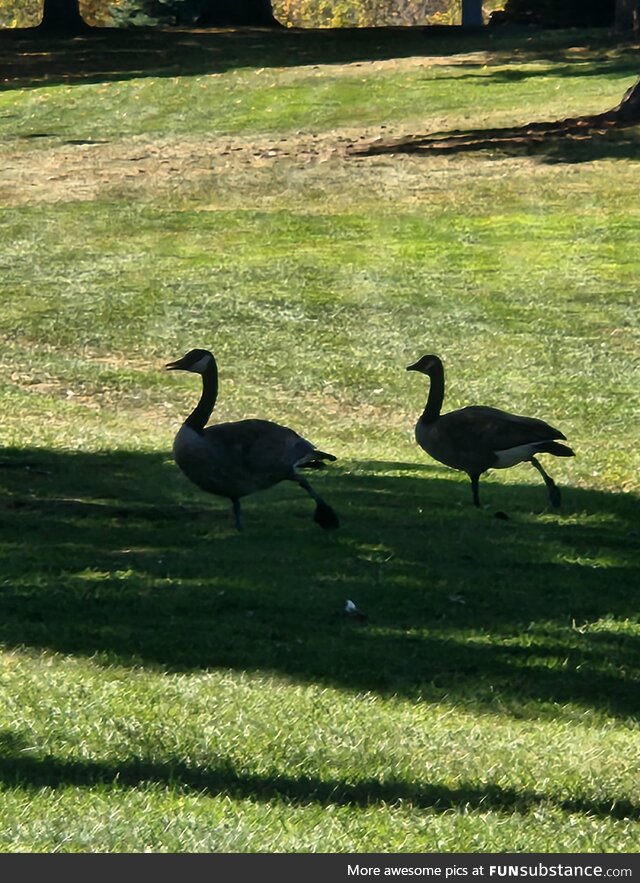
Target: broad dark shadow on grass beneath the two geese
(113,555)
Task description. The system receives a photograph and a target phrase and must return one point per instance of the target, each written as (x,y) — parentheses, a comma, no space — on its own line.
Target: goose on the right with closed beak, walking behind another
(478,438)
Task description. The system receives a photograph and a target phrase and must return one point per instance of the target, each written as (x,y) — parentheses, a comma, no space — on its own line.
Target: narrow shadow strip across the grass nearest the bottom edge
(20,770)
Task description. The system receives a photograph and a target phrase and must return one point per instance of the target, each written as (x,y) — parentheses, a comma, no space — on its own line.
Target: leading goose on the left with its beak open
(233,460)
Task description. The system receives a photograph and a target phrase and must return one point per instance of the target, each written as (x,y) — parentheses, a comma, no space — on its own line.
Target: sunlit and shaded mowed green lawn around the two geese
(170,685)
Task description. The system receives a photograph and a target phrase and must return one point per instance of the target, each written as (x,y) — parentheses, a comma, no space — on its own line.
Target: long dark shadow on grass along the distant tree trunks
(32,59)
